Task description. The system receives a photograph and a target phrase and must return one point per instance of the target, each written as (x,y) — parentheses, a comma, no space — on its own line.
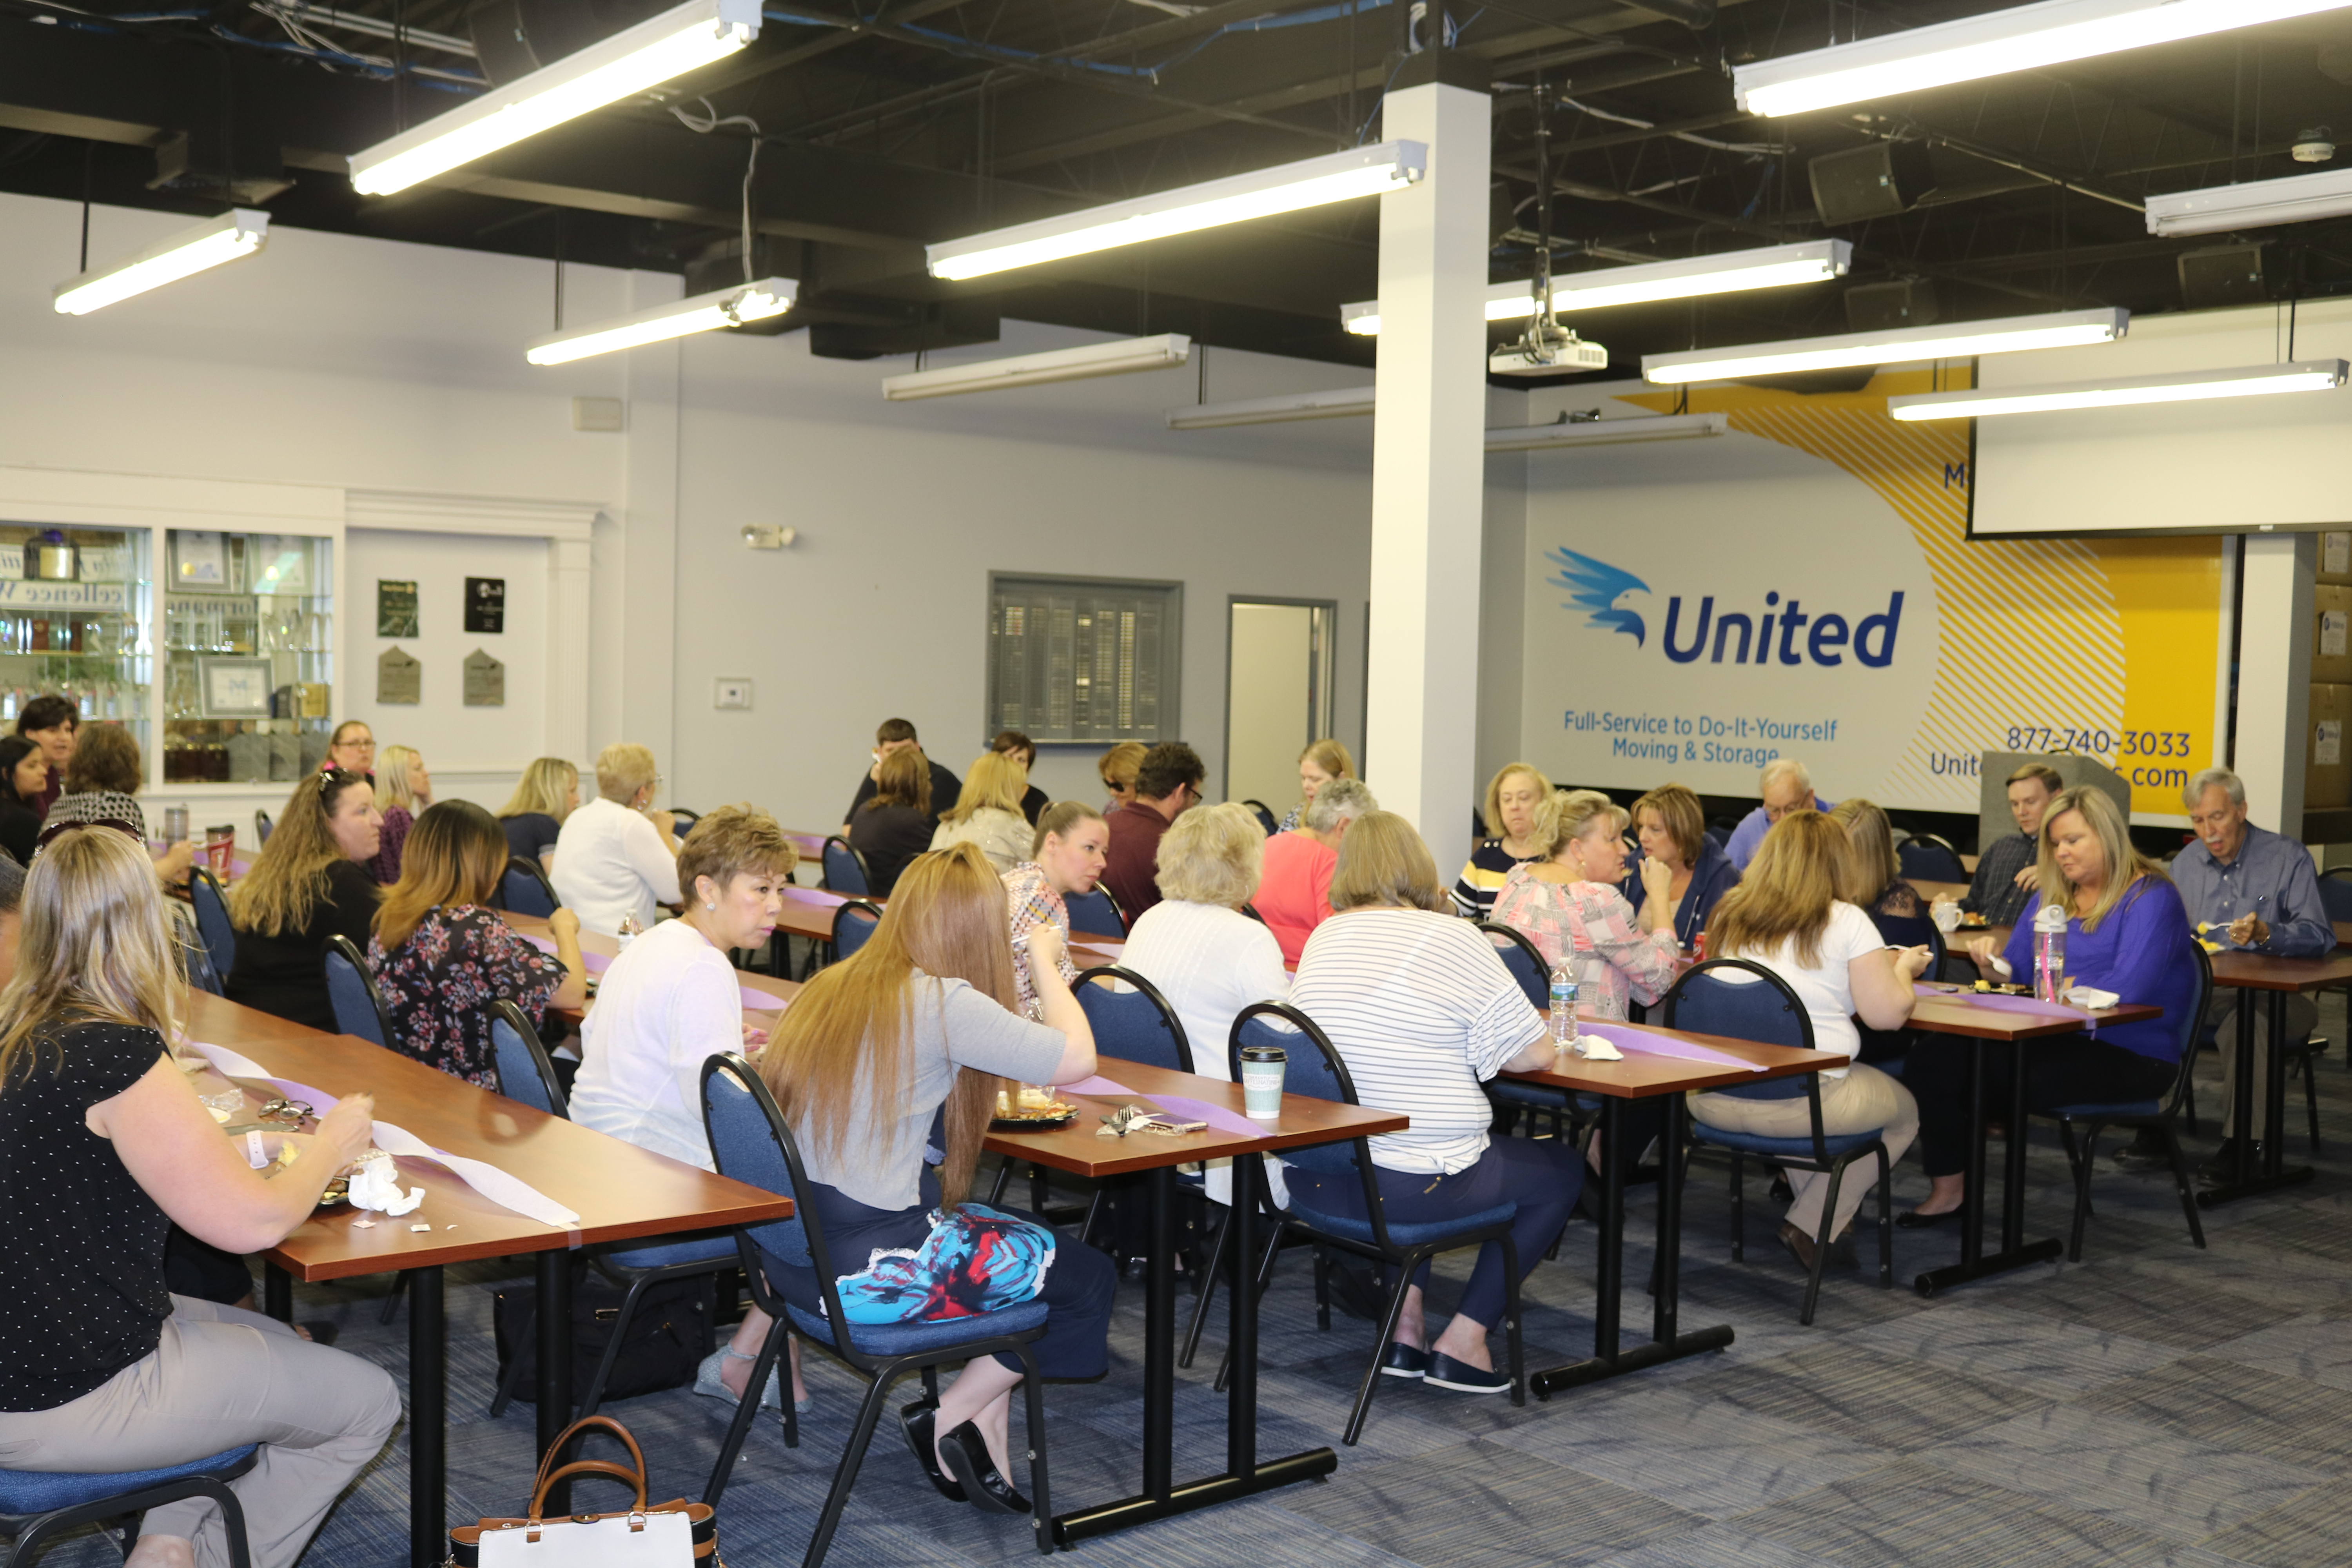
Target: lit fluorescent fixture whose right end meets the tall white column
(1238,199)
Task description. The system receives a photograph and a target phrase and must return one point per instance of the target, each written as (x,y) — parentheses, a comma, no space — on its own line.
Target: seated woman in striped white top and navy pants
(1424,1014)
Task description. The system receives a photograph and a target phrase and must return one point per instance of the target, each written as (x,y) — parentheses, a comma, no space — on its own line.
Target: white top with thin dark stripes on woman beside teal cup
(1424,1014)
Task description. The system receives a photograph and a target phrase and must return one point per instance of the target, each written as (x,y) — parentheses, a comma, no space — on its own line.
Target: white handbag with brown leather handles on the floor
(646,1536)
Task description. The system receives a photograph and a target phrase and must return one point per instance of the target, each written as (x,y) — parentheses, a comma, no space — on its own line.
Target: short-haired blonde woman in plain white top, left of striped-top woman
(1201,951)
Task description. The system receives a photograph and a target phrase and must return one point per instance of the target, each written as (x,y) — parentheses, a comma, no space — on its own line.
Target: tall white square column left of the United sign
(1429,462)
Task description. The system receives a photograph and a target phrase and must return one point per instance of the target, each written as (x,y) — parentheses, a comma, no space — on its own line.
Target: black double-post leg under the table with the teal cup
(1245,1475)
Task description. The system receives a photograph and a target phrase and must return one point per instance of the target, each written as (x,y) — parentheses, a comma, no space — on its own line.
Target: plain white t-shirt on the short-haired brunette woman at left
(667,1005)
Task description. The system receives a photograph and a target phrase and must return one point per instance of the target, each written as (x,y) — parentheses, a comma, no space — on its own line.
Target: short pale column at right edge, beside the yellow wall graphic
(2273,678)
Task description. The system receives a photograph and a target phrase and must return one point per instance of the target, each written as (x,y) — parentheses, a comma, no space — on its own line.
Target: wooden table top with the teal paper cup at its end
(1081,1151)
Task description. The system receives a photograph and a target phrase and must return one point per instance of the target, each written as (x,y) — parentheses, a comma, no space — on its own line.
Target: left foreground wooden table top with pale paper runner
(617,1188)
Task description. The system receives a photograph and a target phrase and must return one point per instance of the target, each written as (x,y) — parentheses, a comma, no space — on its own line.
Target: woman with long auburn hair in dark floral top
(443,958)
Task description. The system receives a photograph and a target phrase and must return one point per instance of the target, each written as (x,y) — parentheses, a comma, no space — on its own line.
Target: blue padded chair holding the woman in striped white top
(1318,1071)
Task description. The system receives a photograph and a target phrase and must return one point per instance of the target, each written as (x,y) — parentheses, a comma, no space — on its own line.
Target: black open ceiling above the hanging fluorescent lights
(933,119)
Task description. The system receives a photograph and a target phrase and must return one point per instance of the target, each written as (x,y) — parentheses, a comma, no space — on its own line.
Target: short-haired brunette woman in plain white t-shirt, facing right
(669,1003)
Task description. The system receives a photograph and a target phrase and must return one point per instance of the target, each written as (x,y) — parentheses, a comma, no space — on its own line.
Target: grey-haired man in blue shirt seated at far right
(2250,890)
